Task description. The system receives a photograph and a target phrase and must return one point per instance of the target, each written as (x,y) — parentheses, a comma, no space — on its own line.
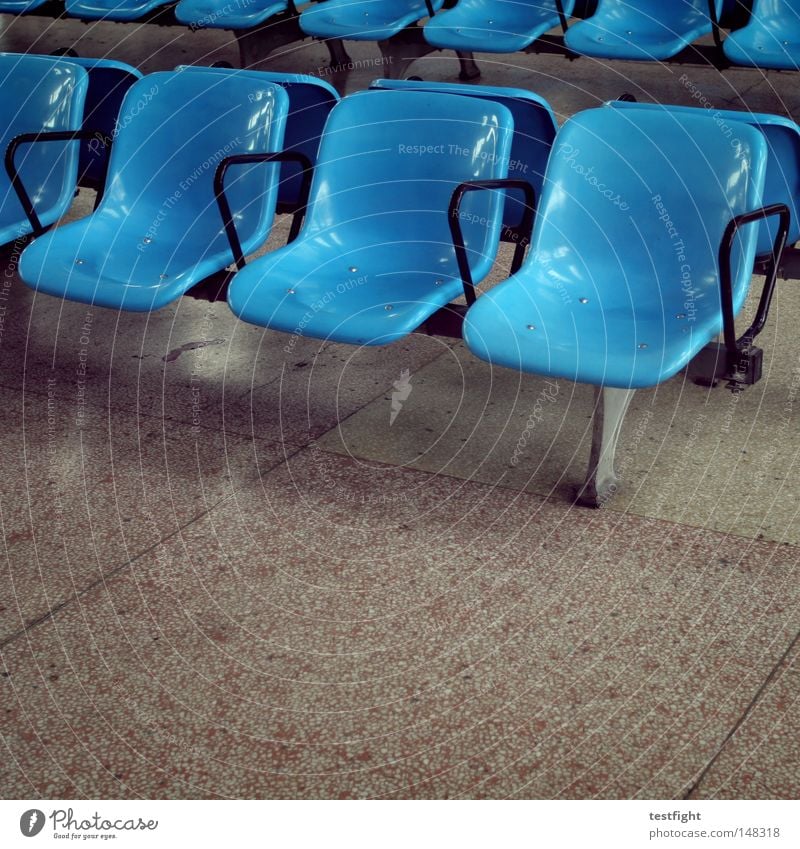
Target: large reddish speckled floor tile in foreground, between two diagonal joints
(609,661)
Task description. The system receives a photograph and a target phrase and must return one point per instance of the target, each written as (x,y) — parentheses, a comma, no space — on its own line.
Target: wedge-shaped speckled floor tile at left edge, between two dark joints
(79,501)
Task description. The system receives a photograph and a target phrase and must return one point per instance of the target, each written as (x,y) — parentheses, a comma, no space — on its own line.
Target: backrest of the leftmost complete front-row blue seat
(174,130)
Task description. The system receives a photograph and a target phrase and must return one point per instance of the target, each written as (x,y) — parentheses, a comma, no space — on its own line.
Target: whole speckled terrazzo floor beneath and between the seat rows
(292,597)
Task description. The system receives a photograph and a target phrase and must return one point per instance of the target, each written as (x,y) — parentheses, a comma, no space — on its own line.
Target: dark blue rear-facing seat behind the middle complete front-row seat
(535,128)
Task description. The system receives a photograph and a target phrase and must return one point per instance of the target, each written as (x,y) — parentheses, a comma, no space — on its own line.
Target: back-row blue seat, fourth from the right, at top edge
(363,20)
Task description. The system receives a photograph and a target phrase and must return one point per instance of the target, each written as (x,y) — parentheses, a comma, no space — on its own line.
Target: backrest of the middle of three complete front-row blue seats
(390,161)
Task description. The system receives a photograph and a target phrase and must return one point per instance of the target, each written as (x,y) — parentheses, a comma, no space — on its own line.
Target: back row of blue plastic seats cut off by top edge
(618,29)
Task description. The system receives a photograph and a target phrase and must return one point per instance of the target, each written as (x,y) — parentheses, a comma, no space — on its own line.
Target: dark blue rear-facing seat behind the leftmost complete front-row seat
(310,102)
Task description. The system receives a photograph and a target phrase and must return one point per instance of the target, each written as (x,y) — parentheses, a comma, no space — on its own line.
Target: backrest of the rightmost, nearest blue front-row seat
(637,202)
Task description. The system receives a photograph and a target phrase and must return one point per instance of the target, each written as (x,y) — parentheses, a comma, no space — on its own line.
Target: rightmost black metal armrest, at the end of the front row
(734,346)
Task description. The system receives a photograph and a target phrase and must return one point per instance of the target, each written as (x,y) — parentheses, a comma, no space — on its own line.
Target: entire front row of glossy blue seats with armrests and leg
(637,227)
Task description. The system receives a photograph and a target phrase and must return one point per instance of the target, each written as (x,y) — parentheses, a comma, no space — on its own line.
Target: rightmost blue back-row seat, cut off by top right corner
(771,39)
